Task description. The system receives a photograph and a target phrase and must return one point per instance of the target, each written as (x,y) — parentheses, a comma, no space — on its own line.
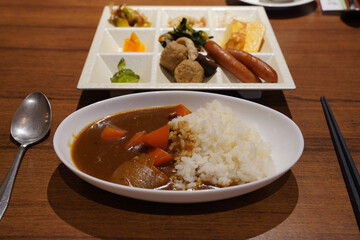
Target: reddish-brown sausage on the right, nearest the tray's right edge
(258,66)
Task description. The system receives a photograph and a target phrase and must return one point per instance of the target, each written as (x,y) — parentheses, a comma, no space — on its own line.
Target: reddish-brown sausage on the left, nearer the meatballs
(230,63)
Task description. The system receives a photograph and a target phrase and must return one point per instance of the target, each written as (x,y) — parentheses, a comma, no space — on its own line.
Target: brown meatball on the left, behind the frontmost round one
(173,54)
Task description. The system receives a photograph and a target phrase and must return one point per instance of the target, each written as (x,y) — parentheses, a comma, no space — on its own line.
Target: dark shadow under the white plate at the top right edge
(282,12)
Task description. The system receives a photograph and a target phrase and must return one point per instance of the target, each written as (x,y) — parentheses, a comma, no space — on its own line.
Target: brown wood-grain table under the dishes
(43,47)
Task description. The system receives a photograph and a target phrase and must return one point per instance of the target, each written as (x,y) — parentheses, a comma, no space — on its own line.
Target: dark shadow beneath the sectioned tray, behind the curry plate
(272,99)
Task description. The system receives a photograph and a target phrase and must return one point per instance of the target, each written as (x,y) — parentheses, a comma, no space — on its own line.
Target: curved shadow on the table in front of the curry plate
(105,215)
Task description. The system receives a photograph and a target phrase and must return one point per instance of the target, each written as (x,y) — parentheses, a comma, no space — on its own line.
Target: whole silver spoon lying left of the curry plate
(30,124)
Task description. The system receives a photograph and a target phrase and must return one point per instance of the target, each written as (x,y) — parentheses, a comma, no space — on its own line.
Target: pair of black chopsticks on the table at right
(347,165)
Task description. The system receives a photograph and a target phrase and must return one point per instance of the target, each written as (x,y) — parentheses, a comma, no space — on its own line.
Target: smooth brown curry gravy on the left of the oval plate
(101,158)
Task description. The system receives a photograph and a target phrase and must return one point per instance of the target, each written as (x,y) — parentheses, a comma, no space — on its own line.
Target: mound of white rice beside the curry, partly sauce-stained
(211,146)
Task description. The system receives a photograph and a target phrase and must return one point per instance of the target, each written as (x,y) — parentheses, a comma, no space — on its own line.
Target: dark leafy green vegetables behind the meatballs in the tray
(184,30)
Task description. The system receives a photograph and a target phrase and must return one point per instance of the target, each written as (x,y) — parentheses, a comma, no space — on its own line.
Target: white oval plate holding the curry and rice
(284,135)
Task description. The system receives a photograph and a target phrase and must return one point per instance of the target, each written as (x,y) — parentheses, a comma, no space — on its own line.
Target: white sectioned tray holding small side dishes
(106,51)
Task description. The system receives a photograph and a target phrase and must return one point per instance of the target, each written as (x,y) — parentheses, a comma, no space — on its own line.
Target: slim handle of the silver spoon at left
(8,183)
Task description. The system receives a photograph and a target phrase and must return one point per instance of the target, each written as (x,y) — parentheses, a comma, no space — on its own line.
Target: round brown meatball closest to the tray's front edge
(189,71)
